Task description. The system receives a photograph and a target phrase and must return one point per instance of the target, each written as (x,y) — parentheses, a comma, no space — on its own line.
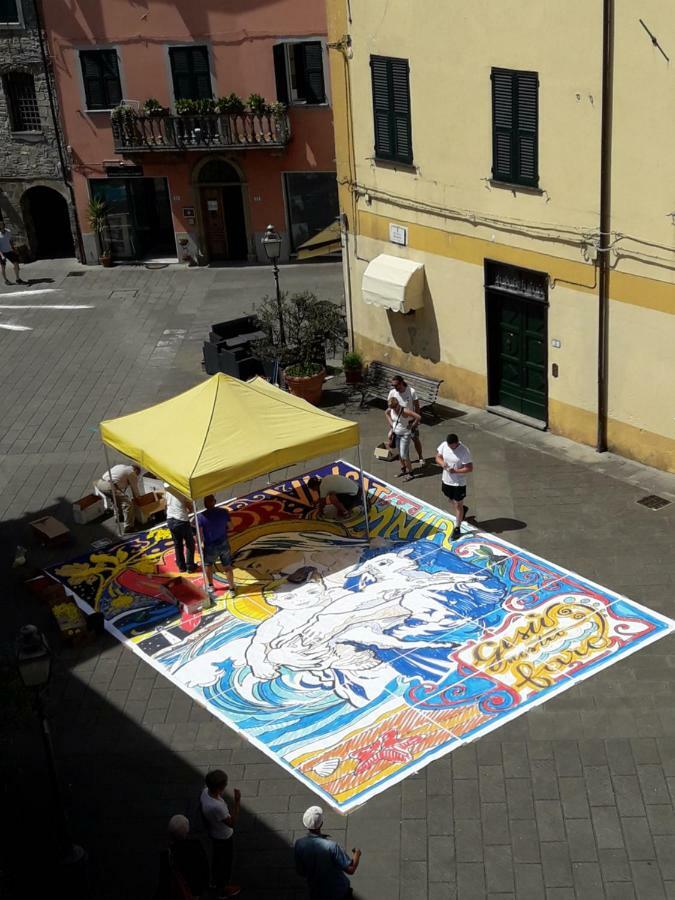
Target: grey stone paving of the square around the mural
(575,799)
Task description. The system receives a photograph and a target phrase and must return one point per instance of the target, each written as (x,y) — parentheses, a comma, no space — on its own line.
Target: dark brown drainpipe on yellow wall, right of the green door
(605,218)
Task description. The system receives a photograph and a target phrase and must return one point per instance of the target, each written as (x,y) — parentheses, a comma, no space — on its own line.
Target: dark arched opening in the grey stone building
(45,213)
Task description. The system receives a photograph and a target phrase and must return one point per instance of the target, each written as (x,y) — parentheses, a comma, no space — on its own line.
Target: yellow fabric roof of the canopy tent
(224,431)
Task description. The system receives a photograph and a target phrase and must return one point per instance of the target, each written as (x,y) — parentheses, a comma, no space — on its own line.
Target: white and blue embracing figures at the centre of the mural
(338,628)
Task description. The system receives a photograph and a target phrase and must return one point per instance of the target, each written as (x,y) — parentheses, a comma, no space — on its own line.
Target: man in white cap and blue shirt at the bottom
(322,862)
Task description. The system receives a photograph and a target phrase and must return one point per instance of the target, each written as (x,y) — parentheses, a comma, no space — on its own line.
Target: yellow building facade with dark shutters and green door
(470,142)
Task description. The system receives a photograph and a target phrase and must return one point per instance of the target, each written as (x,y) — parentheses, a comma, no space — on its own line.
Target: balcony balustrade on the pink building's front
(141,133)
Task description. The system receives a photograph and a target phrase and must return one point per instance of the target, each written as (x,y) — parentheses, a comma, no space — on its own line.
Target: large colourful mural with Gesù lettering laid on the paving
(352,664)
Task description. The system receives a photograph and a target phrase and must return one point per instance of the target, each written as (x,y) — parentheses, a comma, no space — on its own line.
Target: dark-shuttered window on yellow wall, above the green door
(515,124)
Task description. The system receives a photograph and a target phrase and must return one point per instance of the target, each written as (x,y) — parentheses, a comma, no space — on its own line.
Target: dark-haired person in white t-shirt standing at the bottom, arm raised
(220,824)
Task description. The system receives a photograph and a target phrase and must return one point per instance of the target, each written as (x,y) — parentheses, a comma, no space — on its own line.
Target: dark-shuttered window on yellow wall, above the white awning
(391,108)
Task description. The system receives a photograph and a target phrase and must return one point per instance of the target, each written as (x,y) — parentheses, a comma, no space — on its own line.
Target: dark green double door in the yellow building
(517,342)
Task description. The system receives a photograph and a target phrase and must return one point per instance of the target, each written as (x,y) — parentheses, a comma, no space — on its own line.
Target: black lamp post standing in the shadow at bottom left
(34,661)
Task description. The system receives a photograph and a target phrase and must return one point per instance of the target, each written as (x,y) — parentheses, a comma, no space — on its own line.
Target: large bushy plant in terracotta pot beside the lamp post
(310,327)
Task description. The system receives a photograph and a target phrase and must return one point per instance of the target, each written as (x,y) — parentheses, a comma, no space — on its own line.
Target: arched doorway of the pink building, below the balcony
(222,208)
